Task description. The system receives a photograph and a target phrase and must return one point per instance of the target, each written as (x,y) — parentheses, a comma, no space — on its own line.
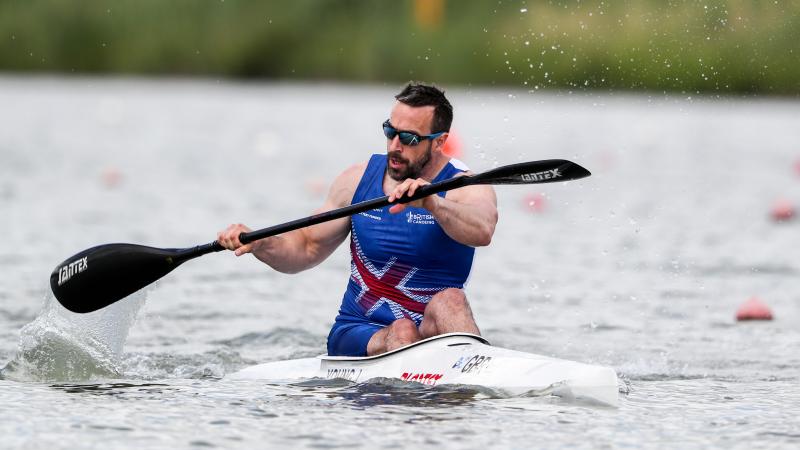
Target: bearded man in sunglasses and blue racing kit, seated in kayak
(409,261)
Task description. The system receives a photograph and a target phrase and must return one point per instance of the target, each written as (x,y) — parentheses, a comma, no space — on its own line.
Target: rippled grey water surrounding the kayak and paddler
(640,267)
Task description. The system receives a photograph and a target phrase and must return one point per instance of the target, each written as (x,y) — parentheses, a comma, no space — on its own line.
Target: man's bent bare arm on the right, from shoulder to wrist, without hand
(466,223)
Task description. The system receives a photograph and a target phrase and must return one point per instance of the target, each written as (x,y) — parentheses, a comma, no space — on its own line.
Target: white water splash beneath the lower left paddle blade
(63,346)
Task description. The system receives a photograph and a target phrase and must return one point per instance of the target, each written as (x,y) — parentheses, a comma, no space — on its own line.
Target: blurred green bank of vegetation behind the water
(710,47)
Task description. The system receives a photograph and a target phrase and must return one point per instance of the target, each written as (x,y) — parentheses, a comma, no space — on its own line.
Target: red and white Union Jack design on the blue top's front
(388,286)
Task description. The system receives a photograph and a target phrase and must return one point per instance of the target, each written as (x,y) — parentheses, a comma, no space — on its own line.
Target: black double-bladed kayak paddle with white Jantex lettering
(102,275)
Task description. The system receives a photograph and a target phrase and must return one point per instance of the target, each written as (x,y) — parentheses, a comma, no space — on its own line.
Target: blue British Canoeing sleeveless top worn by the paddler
(399,261)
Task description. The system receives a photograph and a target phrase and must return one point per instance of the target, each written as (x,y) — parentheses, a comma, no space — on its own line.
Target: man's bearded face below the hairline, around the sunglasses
(408,161)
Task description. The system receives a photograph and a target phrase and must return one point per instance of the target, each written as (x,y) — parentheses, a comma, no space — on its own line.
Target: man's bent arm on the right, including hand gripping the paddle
(468,215)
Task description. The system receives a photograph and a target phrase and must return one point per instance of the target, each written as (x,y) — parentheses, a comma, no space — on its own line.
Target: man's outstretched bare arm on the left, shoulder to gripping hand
(302,249)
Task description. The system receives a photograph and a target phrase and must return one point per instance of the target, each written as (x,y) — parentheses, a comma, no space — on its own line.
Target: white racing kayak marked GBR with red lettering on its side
(455,358)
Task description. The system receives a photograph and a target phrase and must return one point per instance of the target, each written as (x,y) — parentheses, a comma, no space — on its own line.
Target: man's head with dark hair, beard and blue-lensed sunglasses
(418,126)
